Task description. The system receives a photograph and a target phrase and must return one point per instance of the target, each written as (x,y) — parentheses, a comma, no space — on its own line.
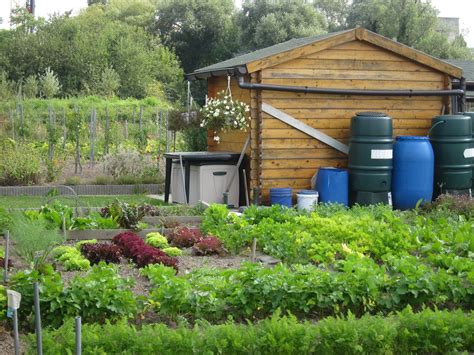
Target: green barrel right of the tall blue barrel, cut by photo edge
(451,138)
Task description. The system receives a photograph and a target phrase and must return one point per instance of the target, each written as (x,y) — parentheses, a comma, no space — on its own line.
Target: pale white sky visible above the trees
(464,9)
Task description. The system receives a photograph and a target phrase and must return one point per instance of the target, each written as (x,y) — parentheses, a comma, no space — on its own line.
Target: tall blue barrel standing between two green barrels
(413,171)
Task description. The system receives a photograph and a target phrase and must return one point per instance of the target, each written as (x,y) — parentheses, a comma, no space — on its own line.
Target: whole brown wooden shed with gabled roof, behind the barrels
(303,93)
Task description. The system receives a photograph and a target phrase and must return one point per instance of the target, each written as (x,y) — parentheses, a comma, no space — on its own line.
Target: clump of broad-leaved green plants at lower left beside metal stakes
(96,296)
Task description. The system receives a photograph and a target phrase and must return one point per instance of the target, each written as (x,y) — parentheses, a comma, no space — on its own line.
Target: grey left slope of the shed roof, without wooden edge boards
(264,53)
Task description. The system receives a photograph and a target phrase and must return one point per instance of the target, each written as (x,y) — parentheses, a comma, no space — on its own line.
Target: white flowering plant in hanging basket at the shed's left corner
(222,113)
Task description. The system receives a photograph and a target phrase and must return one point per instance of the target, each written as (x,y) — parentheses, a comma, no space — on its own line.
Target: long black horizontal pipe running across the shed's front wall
(311,90)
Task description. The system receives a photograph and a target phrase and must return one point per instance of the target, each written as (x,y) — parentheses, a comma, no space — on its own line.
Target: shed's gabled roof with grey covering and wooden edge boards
(294,48)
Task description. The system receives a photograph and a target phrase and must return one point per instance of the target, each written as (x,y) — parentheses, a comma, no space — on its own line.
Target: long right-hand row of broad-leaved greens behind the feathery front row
(356,285)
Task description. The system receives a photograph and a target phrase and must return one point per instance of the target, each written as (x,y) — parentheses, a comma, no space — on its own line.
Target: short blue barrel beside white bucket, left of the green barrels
(333,185)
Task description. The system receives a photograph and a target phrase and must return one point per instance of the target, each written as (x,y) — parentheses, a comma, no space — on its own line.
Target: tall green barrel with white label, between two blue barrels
(370,158)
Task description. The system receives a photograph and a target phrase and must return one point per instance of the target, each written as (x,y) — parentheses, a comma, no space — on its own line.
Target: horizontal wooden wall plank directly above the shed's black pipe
(301,73)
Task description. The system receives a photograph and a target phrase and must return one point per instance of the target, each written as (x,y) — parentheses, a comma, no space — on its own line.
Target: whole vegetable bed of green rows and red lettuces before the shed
(383,274)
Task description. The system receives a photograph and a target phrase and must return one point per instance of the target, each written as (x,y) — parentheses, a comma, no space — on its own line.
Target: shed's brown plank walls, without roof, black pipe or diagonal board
(289,158)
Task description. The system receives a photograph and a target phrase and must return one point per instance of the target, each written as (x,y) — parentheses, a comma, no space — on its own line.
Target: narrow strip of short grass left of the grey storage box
(83,201)
